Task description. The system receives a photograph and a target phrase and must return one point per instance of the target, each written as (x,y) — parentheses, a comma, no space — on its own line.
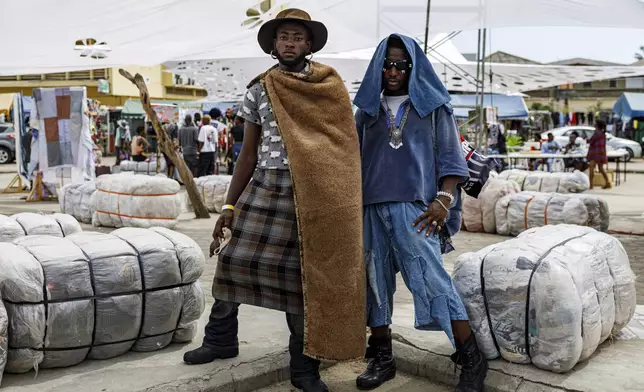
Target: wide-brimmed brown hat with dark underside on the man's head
(266,34)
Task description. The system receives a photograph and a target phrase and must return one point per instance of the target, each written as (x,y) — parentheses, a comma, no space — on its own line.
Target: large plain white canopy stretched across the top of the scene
(149,32)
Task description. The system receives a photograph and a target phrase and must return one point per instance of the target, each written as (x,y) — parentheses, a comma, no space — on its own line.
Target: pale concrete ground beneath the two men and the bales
(263,336)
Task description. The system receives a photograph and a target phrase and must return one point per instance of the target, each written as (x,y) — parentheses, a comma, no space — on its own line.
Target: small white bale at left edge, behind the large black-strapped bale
(29,223)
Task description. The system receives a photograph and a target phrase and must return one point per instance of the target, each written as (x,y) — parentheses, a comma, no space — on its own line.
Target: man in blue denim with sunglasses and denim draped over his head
(412,164)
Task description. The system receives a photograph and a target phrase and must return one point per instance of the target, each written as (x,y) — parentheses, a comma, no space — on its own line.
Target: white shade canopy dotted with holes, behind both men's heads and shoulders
(226,79)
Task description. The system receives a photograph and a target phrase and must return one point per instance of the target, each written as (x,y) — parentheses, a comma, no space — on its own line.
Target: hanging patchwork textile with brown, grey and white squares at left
(64,129)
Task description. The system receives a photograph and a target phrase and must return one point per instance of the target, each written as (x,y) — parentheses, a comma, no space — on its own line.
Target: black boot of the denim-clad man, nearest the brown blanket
(382,365)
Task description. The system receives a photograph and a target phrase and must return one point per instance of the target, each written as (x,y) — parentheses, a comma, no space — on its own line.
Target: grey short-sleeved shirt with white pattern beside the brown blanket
(258,110)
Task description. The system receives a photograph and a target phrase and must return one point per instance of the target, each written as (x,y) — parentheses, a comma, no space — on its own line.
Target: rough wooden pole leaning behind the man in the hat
(166,146)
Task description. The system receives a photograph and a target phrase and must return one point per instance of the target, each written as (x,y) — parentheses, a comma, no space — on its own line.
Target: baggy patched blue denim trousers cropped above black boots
(393,245)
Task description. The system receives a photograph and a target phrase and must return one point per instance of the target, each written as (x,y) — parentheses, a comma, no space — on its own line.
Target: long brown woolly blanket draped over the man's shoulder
(314,115)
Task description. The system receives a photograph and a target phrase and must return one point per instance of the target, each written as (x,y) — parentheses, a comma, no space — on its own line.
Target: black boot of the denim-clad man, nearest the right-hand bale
(473,367)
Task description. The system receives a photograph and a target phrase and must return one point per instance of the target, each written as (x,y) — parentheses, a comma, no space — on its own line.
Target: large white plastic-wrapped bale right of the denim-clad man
(548,297)
